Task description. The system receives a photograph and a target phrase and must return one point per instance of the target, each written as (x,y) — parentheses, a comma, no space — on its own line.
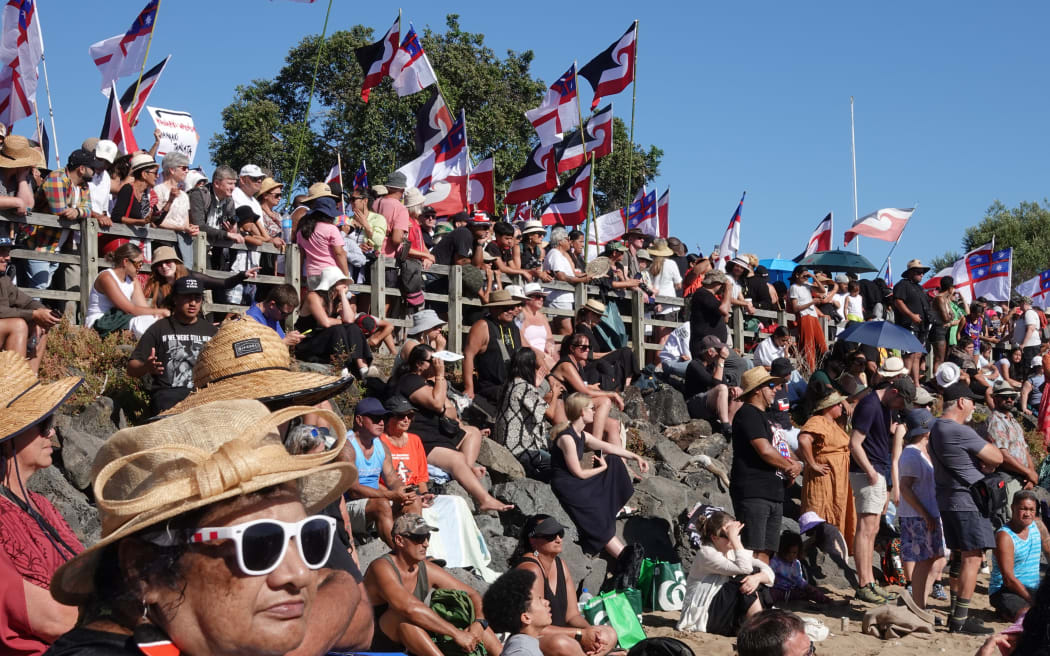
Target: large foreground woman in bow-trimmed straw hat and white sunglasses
(216,547)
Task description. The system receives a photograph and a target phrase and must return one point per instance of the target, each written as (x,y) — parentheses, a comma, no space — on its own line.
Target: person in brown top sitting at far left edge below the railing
(23,320)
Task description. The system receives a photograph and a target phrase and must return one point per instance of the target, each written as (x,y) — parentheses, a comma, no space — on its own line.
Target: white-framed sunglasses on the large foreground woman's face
(263,544)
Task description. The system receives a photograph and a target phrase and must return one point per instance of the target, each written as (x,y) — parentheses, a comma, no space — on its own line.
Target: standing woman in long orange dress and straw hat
(825,448)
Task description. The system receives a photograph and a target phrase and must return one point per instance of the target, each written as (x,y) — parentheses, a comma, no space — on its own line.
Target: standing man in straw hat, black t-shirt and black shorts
(757,482)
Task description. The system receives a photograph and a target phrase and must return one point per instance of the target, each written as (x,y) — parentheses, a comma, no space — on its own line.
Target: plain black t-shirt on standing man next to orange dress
(752,477)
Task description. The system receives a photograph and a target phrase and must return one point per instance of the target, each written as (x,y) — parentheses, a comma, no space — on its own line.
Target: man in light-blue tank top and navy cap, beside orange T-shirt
(370,503)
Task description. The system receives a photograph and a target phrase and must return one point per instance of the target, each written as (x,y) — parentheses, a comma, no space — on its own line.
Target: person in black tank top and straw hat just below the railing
(489,347)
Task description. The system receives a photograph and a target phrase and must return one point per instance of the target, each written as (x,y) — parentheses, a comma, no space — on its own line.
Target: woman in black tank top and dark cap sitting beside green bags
(539,553)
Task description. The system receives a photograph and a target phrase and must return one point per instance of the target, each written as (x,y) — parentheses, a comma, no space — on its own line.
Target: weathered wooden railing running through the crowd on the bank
(90,262)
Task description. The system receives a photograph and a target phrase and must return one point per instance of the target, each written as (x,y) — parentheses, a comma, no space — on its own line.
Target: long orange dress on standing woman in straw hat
(830,496)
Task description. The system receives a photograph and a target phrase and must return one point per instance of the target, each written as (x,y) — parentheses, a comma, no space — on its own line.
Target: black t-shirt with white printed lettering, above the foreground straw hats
(178,348)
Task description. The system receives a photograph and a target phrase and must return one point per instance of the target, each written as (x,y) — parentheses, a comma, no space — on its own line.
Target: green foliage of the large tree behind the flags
(264,124)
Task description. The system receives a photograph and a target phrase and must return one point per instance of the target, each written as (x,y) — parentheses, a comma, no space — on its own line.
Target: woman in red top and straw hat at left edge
(35,540)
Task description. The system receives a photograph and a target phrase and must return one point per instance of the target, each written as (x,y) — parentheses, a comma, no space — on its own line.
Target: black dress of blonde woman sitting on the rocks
(592,503)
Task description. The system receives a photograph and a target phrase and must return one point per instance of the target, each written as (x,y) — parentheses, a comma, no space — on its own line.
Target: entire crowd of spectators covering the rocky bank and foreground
(879,452)
